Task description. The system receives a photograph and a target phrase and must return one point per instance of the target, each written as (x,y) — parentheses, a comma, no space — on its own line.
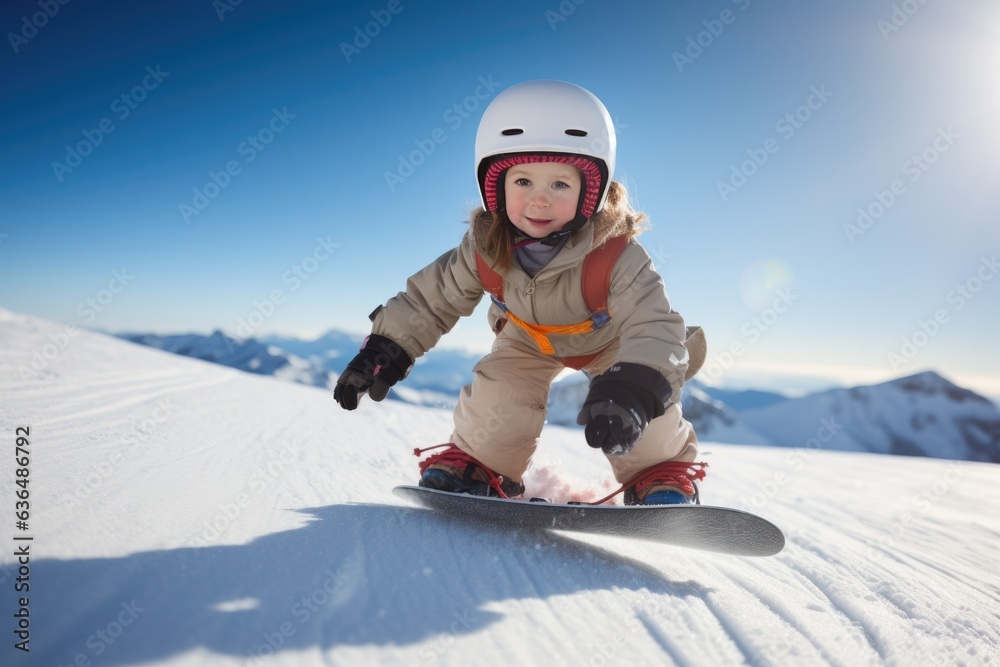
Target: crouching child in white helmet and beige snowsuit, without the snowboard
(545,155)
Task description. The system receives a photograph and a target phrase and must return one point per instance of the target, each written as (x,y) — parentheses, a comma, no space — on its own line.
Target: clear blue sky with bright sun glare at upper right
(821,177)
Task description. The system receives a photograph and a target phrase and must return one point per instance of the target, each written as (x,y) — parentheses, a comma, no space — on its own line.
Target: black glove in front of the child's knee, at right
(620,405)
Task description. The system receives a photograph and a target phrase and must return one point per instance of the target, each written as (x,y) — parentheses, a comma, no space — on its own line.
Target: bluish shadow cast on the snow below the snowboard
(354,575)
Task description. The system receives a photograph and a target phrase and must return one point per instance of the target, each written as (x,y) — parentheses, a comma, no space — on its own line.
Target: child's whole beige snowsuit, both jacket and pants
(500,415)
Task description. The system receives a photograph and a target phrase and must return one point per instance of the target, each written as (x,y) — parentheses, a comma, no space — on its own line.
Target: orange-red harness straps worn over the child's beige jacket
(595,283)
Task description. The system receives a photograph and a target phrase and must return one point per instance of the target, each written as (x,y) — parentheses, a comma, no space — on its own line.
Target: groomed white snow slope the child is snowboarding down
(188,514)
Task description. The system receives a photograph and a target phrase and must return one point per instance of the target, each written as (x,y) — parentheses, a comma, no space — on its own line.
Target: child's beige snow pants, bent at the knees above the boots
(500,415)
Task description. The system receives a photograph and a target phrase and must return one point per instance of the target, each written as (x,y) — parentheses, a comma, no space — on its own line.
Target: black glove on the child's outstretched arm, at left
(380,364)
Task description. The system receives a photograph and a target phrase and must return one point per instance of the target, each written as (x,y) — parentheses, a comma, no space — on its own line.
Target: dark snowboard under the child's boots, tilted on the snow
(720,529)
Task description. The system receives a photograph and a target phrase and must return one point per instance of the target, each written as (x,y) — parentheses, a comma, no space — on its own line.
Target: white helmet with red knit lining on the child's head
(546,121)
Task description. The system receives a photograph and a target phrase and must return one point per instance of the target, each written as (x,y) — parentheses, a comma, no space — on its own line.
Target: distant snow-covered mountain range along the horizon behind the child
(922,415)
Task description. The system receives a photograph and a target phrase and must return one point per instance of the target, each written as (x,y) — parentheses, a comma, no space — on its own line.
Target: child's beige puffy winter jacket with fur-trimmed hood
(647,329)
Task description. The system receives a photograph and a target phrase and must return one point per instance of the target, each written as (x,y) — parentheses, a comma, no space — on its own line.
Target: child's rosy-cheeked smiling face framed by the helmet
(542,197)
